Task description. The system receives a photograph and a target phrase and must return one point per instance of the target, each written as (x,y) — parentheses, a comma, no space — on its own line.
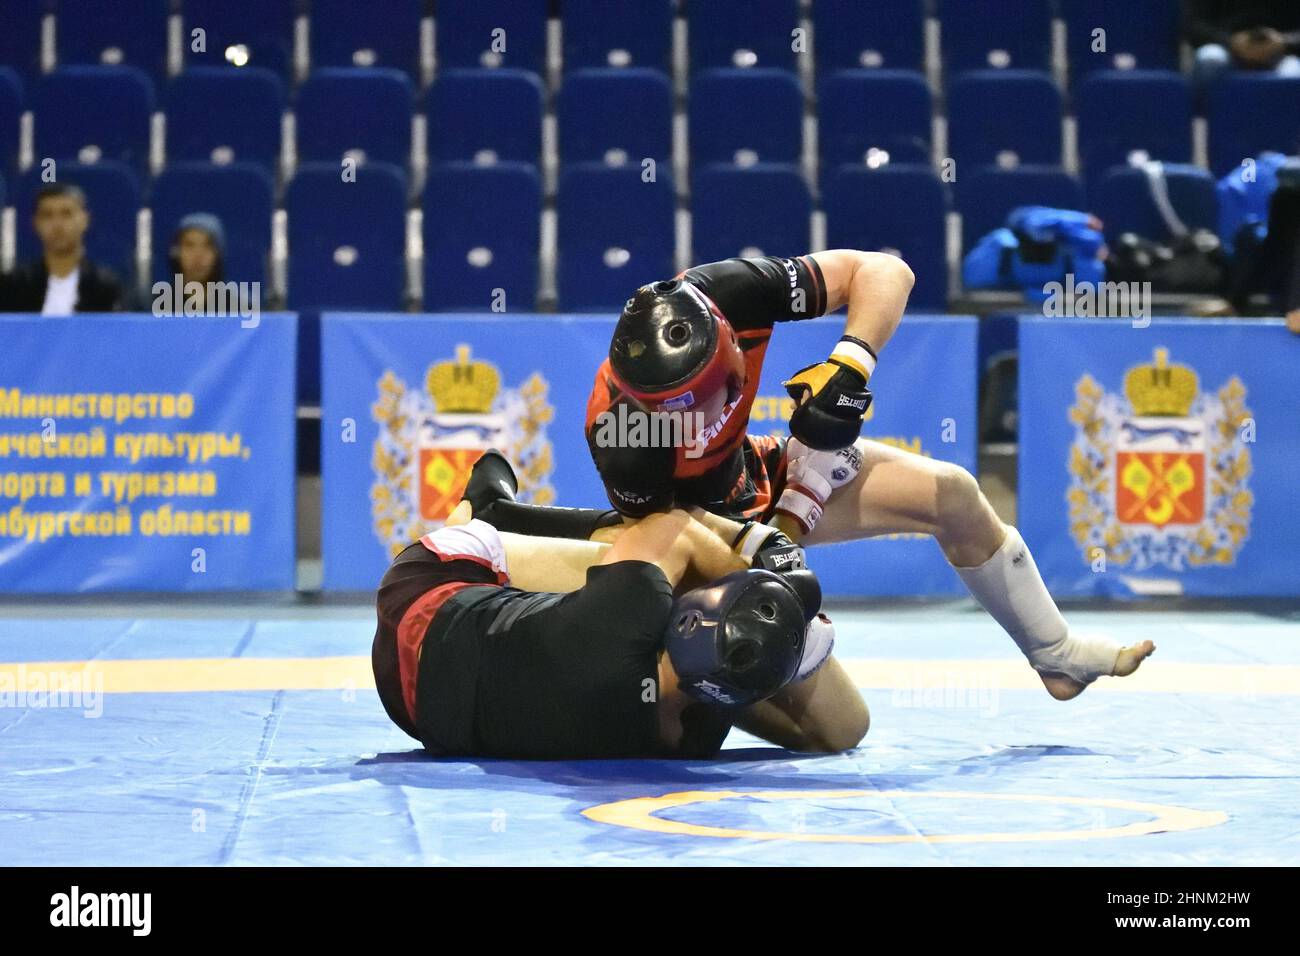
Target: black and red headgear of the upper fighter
(674,349)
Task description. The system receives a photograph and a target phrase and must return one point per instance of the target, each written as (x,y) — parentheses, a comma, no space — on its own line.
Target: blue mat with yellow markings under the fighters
(253,741)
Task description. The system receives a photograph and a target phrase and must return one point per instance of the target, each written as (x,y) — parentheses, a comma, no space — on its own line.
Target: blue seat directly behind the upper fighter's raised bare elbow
(898,209)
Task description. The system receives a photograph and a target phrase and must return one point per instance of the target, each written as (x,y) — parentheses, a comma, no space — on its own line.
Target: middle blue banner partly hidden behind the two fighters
(410,401)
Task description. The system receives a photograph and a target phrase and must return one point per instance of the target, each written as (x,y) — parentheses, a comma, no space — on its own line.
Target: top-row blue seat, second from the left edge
(115,32)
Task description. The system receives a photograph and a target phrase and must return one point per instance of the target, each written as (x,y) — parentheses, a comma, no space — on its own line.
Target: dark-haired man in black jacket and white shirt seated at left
(63,282)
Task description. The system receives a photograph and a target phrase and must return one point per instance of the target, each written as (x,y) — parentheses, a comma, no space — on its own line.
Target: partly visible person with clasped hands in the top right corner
(1243,34)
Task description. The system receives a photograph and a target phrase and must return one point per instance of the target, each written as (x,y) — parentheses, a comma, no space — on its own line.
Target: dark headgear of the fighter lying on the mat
(740,639)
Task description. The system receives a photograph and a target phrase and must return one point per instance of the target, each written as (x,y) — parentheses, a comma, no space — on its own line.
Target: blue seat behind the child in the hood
(240,194)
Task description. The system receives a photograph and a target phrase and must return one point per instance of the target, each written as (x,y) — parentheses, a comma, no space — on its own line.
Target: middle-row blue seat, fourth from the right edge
(874,110)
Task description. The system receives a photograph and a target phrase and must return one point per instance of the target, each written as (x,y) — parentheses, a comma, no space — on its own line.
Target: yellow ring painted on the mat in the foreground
(640,815)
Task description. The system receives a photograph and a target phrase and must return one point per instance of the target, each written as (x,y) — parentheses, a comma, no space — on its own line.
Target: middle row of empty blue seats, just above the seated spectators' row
(1006,118)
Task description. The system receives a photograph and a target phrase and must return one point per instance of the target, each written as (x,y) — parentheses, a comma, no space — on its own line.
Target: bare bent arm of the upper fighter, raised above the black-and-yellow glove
(874,287)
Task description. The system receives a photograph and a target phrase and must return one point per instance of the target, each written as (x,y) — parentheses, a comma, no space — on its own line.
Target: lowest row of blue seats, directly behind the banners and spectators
(482,226)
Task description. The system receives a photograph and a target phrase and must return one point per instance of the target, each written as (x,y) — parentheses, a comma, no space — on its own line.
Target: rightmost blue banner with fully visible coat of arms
(1162,460)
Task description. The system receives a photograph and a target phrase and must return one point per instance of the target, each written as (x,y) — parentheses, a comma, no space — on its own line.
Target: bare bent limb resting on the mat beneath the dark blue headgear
(821,715)
